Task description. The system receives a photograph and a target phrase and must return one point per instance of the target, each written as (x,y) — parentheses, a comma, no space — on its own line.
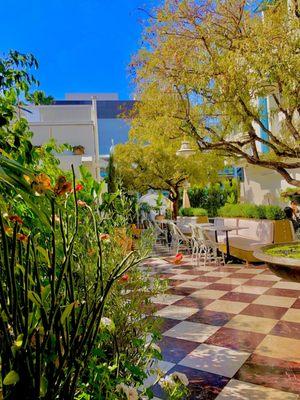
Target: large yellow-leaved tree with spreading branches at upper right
(217,61)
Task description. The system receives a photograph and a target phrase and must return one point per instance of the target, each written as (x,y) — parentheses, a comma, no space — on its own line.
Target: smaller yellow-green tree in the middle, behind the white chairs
(149,161)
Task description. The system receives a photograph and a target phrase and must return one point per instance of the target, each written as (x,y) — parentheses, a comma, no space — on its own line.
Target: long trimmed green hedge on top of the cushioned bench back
(251,211)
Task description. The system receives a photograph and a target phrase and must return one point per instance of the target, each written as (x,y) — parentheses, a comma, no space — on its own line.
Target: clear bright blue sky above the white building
(81,45)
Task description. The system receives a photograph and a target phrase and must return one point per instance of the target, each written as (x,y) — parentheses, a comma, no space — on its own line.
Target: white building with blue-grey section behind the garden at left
(94,121)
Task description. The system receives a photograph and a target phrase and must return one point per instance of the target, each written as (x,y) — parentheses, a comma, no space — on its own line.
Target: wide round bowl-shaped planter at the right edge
(283,266)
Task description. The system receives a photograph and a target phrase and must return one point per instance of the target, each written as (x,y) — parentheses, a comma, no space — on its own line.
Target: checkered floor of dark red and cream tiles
(233,330)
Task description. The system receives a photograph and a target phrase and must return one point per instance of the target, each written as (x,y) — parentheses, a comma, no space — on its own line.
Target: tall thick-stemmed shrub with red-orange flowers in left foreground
(51,313)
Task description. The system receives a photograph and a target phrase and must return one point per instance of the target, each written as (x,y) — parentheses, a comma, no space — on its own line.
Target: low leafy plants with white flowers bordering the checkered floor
(123,354)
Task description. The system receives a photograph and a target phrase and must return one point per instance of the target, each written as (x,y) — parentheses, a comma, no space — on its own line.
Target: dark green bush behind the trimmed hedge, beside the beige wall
(212,197)
